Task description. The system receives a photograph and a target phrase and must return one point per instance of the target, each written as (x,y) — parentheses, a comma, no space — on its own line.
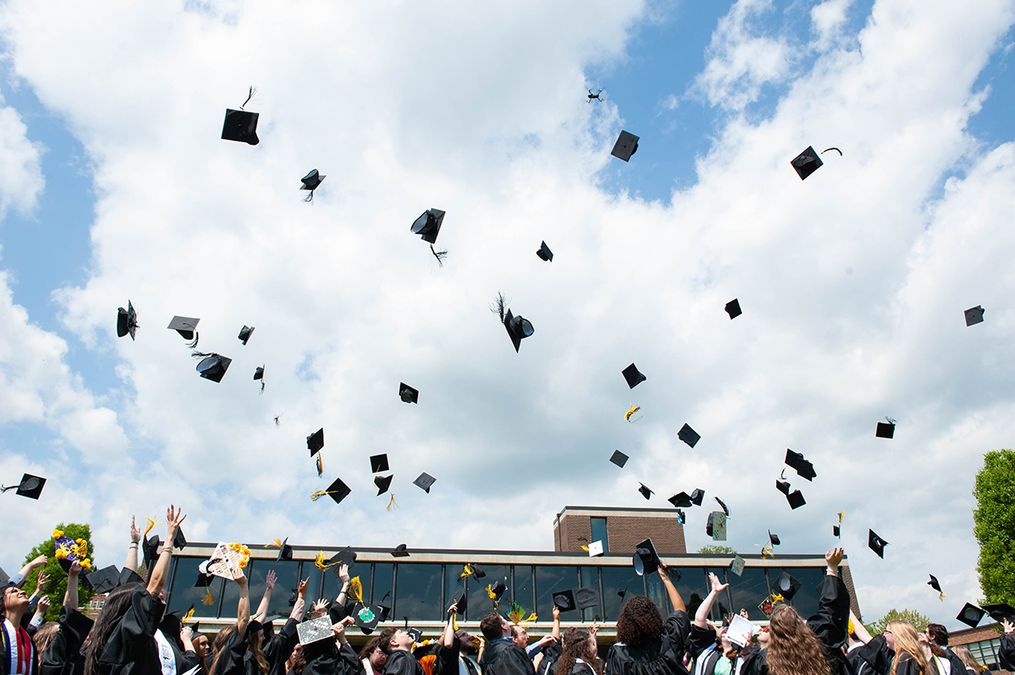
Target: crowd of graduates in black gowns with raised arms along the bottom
(134,636)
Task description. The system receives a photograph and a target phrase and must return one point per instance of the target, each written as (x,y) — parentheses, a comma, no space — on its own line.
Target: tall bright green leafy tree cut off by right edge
(994,525)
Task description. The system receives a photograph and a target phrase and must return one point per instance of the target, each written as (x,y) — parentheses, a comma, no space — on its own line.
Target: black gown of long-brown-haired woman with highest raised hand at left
(131,648)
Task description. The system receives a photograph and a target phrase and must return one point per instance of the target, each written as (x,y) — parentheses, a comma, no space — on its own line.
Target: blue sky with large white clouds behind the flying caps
(115,186)
